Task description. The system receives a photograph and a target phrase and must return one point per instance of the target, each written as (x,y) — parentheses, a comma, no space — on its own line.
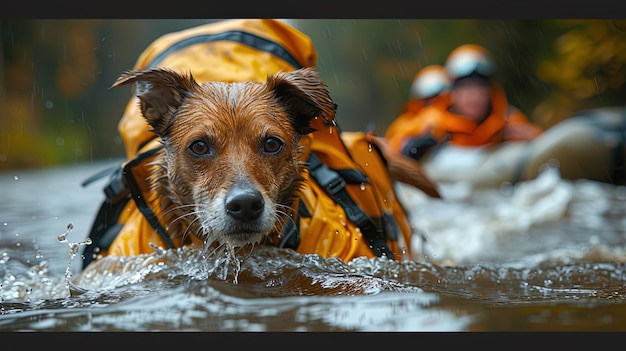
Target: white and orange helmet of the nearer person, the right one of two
(470,59)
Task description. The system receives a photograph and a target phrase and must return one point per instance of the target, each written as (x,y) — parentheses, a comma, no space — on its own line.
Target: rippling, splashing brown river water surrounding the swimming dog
(546,255)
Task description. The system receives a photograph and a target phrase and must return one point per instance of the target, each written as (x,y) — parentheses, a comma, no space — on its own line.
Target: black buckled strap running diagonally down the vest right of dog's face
(335,185)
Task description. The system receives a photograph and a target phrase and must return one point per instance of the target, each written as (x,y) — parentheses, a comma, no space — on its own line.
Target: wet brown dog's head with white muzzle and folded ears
(231,157)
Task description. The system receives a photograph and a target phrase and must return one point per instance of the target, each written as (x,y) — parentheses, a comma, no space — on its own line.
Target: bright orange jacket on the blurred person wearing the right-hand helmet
(435,120)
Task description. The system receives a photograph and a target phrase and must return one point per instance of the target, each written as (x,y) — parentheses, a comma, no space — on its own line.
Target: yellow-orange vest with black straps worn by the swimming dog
(347,208)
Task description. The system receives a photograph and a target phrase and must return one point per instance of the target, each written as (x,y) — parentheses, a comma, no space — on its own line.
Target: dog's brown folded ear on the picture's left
(160,91)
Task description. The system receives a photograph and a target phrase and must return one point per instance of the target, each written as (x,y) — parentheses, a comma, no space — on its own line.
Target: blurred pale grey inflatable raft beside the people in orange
(590,145)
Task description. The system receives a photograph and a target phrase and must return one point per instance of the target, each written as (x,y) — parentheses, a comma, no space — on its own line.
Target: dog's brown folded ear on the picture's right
(304,95)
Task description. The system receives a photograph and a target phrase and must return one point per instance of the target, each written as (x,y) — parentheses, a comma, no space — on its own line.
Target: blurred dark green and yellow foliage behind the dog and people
(56,106)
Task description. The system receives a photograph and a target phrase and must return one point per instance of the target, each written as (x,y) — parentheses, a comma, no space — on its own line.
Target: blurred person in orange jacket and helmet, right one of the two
(474,111)
